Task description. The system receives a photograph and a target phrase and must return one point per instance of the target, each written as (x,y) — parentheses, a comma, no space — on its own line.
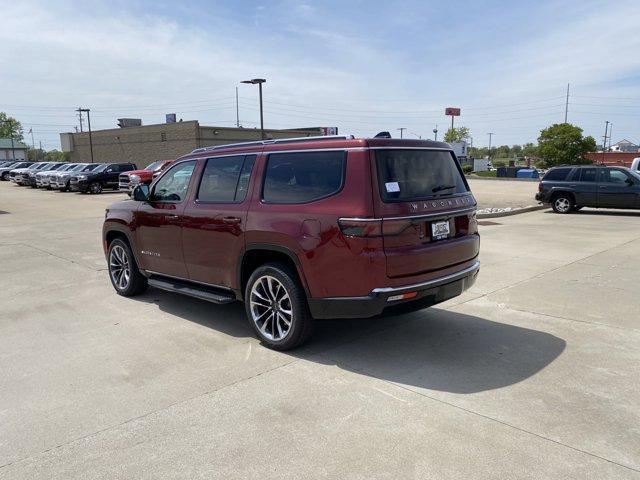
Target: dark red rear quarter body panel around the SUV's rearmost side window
(331,265)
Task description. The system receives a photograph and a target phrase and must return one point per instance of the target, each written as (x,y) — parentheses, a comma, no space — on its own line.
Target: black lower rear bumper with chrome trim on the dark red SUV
(377,302)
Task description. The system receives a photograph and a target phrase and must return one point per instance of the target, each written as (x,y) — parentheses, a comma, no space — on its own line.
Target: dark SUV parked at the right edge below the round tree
(571,187)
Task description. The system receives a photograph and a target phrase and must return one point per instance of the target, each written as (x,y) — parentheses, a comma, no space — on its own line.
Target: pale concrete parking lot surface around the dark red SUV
(531,374)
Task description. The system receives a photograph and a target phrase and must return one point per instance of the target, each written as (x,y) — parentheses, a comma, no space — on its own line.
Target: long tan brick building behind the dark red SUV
(145,144)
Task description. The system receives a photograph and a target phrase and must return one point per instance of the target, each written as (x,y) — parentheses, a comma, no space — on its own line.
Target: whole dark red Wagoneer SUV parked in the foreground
(301,229)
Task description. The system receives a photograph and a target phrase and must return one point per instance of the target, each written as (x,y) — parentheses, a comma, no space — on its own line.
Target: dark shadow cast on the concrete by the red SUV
(434,348)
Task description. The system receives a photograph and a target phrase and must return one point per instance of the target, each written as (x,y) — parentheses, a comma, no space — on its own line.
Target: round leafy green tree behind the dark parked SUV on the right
(563,143)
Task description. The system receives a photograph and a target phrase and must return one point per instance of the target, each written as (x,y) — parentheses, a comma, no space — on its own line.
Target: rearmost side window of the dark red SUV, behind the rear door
(303,177)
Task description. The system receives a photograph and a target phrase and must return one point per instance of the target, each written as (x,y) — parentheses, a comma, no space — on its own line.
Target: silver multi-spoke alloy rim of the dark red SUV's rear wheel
(271,309)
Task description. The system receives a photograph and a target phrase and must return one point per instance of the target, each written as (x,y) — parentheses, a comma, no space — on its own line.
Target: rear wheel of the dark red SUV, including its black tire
(301,322)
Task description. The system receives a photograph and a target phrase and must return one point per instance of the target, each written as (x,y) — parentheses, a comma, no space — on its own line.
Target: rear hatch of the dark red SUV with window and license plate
(427,209)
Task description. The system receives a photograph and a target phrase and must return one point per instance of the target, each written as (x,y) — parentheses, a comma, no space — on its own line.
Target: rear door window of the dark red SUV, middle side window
(225,179)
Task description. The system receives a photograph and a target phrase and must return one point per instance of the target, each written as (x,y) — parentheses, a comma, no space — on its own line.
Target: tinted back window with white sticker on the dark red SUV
(406,175)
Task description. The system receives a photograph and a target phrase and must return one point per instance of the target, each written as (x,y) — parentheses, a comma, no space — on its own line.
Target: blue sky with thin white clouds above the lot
(362,66)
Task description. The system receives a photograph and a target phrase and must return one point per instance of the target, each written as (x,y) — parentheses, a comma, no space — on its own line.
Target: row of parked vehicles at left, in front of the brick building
(64,176)
